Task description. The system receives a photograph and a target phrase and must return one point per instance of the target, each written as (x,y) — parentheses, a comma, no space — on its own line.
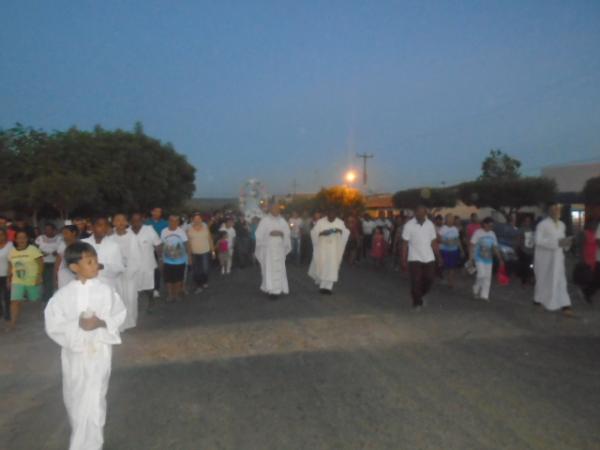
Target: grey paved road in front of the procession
(229,369)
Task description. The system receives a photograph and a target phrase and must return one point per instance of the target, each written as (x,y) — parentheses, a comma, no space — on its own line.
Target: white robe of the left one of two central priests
(271,252)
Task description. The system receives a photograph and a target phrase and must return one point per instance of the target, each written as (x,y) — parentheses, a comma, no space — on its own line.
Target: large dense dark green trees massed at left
(112,170)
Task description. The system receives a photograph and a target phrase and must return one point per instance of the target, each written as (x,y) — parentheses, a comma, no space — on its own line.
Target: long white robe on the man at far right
(549,266)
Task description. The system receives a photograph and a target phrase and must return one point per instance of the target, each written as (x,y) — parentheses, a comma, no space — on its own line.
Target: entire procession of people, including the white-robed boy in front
(93,272)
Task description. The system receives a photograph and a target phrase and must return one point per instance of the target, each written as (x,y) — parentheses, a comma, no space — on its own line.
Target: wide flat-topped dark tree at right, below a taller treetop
(508,195)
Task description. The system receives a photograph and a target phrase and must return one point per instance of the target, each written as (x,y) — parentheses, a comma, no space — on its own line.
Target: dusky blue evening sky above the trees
(289,91)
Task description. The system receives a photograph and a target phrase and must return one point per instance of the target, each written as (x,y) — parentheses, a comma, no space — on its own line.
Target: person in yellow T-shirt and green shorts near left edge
(26,268)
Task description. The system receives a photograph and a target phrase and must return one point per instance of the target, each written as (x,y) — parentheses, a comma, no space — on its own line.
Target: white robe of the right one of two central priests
(328,251)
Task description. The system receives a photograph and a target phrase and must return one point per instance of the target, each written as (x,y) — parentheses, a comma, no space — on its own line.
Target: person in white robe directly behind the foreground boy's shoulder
(109,253)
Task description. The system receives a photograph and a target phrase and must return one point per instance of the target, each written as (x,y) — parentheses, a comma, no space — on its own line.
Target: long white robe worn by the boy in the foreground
(85,355)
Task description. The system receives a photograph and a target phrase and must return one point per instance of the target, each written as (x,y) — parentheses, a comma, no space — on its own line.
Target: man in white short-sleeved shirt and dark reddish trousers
(419,253)
